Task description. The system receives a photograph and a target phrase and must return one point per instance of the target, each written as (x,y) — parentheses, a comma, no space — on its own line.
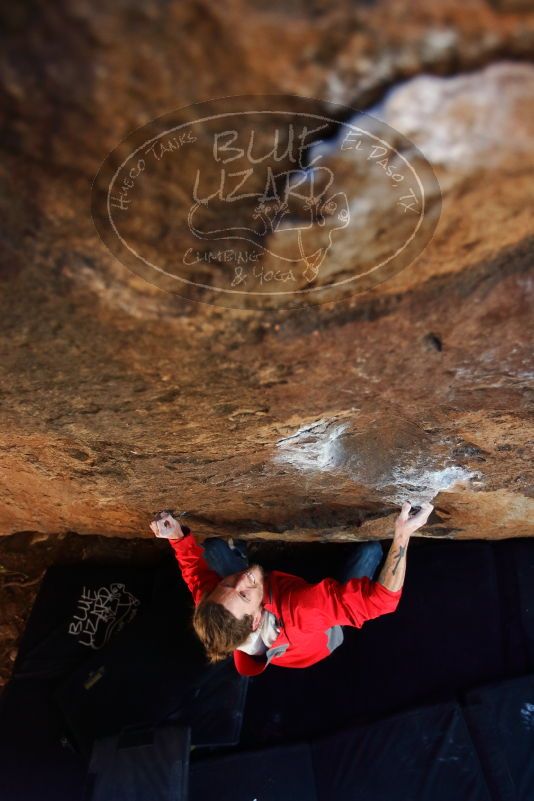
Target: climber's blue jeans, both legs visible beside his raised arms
(363,561)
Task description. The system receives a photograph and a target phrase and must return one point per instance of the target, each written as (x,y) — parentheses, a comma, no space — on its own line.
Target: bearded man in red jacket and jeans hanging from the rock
(273,617)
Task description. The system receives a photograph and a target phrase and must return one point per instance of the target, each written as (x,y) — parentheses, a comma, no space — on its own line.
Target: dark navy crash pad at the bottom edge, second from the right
(423,755)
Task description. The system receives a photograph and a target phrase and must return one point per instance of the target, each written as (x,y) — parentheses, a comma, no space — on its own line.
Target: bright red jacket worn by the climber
(310,616)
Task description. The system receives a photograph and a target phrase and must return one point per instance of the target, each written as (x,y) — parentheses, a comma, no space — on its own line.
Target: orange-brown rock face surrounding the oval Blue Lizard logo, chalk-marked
(120,398)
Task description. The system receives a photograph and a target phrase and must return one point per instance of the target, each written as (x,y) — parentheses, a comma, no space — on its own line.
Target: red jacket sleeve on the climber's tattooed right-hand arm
(331,603)
